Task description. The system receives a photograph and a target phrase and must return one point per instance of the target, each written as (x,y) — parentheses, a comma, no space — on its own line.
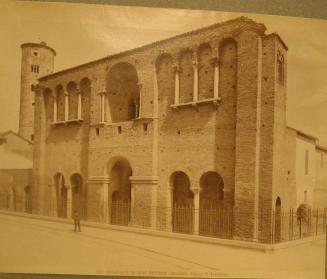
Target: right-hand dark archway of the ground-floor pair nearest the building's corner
(213,219)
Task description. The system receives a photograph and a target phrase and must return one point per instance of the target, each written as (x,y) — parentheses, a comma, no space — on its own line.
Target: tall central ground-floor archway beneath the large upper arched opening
(121,193)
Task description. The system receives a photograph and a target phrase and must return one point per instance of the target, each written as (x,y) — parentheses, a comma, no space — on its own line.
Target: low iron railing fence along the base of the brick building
(272,227)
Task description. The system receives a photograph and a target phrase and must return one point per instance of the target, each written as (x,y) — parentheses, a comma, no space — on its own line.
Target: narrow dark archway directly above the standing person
(77,194)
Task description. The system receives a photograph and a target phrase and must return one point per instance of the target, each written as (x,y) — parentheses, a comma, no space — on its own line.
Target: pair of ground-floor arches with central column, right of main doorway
(200,210)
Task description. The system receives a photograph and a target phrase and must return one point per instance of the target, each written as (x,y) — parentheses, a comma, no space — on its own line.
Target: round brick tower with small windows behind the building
(37,61)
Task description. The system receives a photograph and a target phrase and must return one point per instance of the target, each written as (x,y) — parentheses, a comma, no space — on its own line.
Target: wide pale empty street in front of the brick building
(29,245)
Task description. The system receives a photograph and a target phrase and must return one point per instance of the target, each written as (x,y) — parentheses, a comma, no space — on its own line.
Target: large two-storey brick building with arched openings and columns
(194,121)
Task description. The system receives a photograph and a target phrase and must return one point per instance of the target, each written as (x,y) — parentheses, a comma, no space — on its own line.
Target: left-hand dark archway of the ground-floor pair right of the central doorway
(182,213)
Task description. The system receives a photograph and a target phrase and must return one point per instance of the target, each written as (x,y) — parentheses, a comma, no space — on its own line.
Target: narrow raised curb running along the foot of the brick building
(236,244)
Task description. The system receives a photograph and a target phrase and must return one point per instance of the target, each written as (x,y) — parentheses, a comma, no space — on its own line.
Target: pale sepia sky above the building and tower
(84,32)
